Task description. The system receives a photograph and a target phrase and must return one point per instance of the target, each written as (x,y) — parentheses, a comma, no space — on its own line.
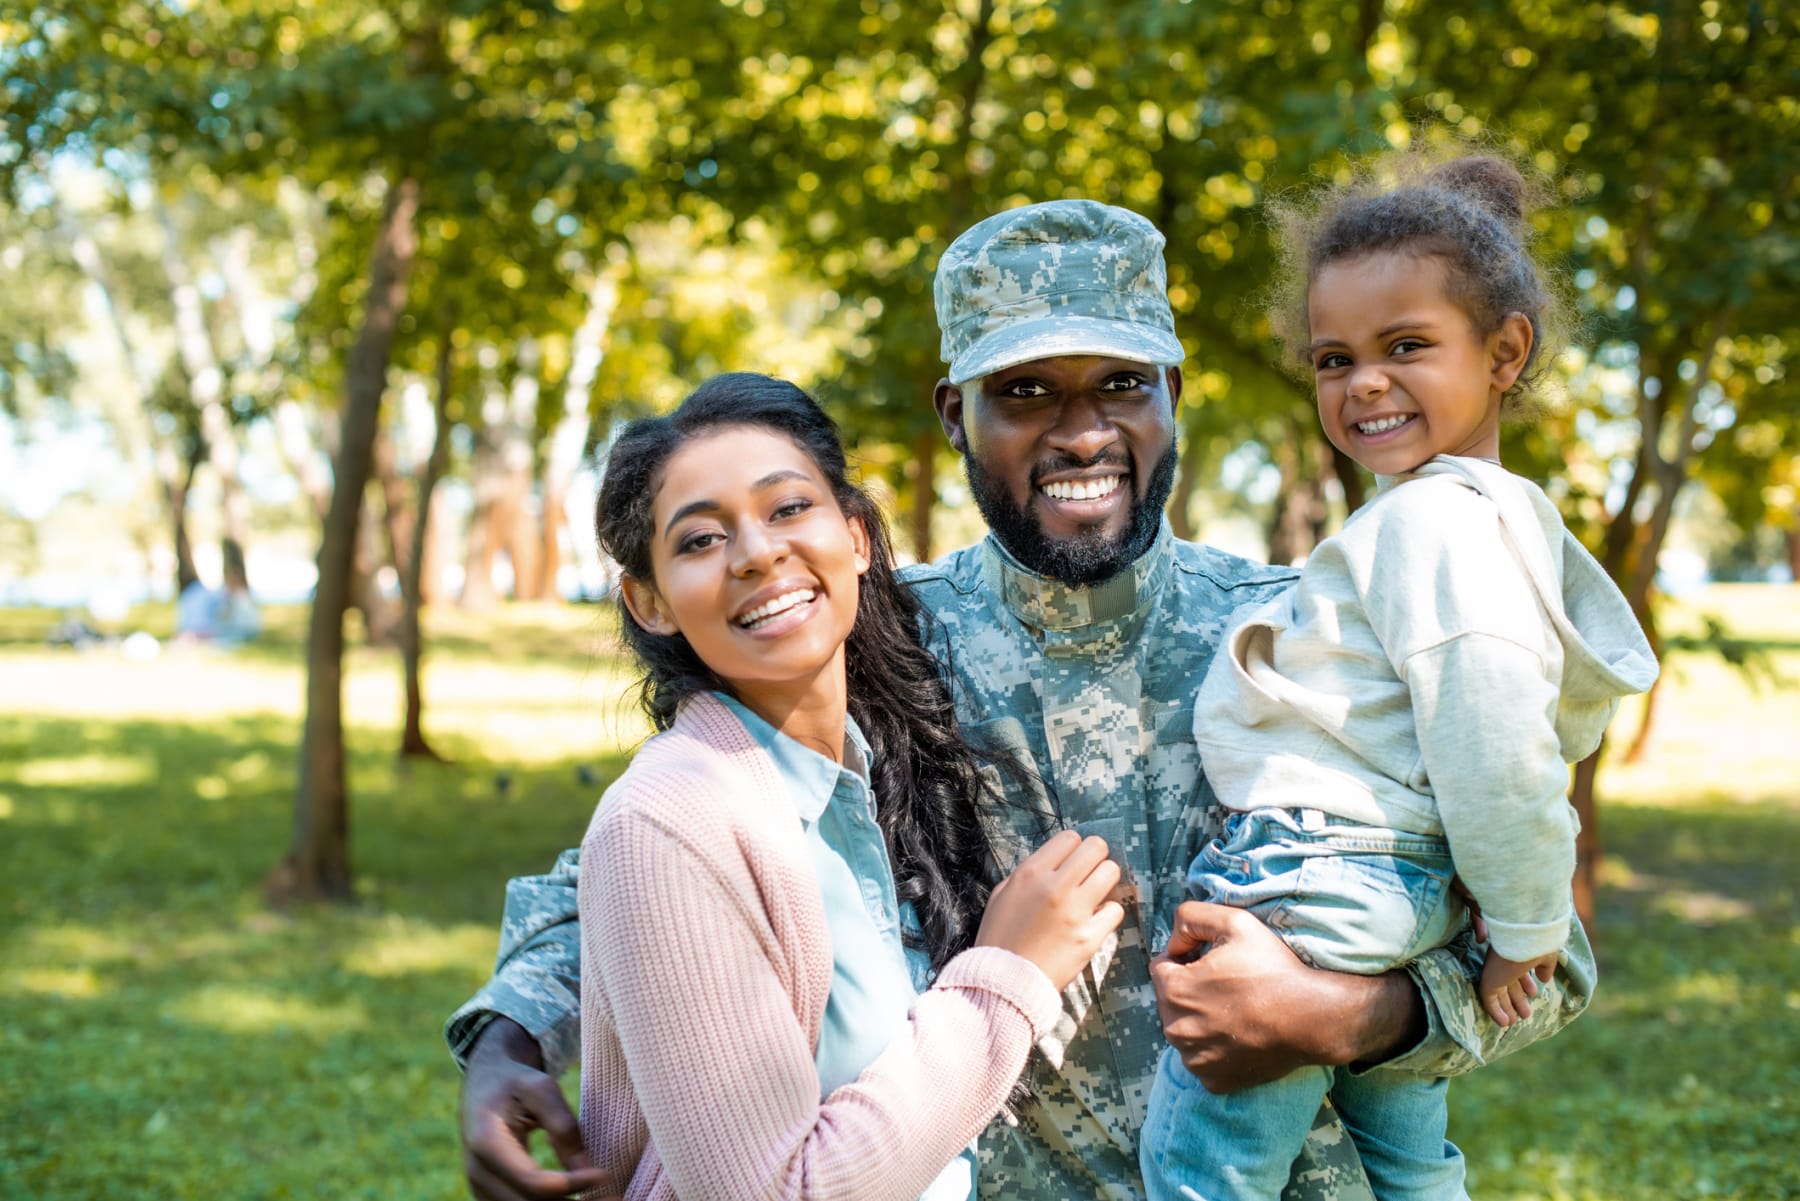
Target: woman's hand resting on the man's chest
(1054,908)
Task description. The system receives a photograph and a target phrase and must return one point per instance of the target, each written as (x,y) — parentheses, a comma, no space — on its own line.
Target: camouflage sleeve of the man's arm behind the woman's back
(537,973)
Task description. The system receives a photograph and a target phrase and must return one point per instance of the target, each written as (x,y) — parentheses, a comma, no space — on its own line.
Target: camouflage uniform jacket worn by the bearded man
(1092,692)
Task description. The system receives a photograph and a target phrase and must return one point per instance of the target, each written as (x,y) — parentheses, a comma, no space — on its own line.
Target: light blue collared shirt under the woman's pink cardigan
(872,975)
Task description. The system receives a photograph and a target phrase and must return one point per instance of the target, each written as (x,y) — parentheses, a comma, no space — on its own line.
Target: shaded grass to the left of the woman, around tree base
(168,1036)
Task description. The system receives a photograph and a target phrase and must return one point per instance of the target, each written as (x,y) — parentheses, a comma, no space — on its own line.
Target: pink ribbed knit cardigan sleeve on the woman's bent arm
(696,993)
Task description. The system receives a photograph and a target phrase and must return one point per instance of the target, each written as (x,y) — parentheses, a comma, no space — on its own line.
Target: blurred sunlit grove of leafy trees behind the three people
(438,251)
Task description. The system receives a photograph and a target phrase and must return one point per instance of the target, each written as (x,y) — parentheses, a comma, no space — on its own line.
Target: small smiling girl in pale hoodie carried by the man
(1405,716)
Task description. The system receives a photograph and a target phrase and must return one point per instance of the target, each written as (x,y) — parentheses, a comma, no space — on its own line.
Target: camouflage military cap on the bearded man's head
(1059,278)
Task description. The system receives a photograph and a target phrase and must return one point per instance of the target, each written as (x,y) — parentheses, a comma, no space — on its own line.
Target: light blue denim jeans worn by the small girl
(1347,899)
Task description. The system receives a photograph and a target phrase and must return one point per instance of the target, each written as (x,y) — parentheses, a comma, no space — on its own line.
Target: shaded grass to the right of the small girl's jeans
(1682,1079)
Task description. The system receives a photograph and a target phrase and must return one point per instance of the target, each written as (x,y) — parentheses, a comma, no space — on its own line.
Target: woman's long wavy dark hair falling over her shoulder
(924,775)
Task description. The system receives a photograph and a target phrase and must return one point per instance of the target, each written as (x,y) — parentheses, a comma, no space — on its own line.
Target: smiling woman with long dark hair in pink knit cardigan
(750,1024)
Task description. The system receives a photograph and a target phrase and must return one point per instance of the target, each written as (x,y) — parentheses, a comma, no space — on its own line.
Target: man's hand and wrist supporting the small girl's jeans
(1248,1011)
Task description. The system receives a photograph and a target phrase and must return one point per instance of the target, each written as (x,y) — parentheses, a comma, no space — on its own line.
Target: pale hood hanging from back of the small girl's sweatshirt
(1605,653)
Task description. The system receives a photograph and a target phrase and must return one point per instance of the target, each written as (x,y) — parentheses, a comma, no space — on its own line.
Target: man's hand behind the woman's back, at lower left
(507,1096)
